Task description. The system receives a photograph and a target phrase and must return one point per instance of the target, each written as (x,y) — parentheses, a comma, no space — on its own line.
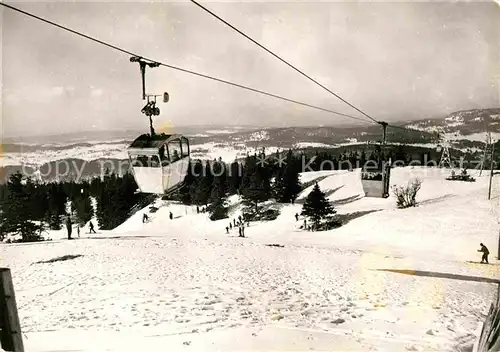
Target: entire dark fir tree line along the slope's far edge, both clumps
(28,208)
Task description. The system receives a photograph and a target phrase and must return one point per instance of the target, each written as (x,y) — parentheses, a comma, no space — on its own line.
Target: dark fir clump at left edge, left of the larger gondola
(29,208)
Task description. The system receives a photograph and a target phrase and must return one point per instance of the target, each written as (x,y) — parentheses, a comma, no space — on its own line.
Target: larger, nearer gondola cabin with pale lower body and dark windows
(160,162)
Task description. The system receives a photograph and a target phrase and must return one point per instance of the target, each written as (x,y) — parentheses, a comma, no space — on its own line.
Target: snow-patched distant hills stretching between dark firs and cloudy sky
(465,131)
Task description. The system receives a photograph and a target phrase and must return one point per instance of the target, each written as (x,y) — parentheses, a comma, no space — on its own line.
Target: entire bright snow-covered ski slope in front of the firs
(184,284)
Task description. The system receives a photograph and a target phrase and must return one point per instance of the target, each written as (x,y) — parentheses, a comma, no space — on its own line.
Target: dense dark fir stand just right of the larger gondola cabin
(256,179)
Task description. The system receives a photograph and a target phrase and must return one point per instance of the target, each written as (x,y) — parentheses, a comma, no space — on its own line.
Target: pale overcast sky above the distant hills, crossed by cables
(395,61)
